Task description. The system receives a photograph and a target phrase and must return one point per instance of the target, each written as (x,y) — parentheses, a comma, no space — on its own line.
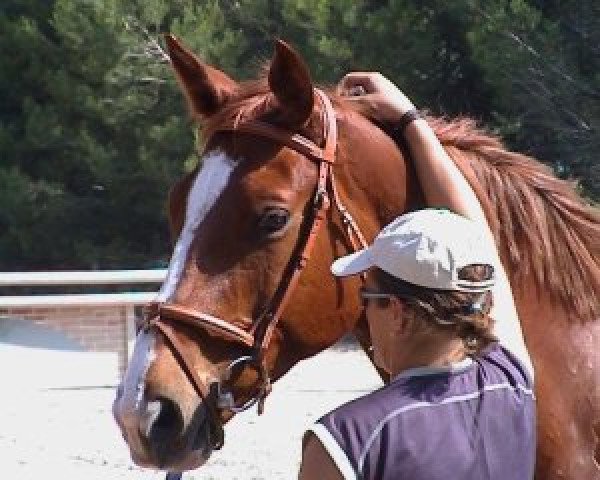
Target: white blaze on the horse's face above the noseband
(209,184)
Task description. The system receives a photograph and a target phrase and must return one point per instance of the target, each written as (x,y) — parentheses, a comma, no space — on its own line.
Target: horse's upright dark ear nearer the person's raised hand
(289,80)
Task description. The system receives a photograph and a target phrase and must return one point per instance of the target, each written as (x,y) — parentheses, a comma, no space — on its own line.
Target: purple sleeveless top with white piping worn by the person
(475,421)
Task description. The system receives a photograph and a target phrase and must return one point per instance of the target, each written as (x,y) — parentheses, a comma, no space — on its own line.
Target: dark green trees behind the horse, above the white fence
(93,129)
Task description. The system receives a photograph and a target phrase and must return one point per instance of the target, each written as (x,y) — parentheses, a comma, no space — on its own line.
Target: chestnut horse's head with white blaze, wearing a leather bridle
(242,219)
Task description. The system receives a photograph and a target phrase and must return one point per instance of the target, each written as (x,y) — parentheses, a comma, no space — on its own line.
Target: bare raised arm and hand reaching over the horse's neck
(443,186)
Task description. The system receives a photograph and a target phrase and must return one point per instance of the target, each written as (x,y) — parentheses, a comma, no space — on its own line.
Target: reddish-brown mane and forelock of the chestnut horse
(546,229)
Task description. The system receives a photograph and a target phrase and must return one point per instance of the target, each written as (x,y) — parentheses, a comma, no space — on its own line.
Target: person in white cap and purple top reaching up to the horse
(443,325)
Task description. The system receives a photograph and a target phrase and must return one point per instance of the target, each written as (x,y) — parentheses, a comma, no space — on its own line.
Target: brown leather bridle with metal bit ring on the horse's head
(257,338)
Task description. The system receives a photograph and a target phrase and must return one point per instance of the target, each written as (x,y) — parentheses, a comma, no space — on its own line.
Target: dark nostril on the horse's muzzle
(162,422)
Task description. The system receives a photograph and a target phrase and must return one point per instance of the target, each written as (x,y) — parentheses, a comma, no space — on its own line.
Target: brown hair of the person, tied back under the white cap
(465,313)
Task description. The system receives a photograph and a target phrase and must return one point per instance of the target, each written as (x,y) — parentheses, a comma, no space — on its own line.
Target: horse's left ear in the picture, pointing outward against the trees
(206,88)
